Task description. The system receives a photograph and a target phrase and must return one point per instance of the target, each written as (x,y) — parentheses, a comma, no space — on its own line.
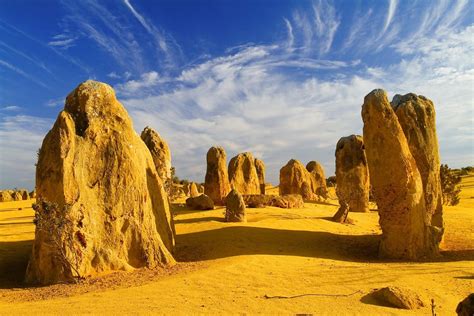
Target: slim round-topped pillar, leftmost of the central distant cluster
(216,184)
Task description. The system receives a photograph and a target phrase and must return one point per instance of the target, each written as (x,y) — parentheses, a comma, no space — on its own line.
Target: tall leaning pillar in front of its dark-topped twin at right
(397,183)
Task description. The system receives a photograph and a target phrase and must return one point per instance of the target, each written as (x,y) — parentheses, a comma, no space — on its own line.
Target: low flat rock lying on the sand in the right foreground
(398,297)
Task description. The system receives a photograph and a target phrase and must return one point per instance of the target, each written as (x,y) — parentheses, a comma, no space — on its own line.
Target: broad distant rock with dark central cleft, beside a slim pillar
(243,175)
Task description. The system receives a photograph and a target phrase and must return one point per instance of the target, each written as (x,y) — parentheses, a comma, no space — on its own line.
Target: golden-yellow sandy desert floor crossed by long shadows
(230,268)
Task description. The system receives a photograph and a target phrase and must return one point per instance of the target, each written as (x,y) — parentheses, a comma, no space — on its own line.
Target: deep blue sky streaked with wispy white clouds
(282,79)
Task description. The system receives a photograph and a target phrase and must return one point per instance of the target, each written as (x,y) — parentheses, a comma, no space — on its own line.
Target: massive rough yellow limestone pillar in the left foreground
(101,203)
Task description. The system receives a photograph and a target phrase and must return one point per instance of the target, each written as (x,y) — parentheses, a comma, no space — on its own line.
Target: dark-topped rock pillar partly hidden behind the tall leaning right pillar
(417,118)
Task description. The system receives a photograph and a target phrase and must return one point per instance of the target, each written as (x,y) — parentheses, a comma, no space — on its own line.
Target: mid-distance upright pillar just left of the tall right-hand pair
(352,174)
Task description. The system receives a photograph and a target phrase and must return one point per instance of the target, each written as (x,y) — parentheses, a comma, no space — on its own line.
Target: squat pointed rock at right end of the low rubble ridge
(295,179)
